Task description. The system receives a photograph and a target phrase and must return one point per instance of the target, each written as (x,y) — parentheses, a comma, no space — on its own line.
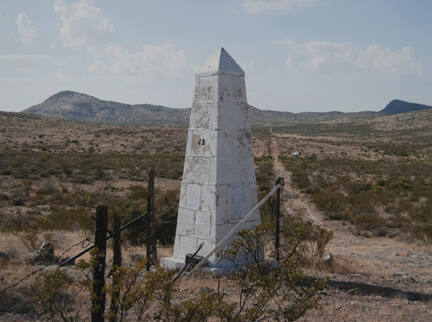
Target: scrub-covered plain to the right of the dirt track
(379,181)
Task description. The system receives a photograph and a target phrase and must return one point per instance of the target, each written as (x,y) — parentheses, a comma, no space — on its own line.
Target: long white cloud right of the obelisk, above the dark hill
(336,57)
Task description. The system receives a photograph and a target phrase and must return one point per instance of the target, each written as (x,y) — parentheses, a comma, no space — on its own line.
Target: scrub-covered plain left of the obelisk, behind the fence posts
(53,173)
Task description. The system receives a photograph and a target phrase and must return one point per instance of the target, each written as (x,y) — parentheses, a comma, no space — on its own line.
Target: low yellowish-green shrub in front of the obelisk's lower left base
(153,295)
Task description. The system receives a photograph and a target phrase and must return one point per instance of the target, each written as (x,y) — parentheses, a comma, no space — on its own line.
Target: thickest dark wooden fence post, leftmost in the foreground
(98,294)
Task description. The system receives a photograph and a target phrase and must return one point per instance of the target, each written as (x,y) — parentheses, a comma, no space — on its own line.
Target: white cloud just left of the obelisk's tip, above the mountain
(150,61)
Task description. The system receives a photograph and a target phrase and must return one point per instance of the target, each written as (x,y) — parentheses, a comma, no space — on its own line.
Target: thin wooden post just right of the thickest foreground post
(117,262)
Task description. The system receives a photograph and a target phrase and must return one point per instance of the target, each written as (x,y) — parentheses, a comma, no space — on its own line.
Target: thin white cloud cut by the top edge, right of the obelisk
(258,6)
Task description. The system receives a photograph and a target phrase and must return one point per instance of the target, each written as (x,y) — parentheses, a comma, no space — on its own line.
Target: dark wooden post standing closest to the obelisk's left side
(150,234)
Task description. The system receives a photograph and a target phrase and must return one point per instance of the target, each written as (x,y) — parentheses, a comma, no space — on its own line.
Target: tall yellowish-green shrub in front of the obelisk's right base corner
(268,292)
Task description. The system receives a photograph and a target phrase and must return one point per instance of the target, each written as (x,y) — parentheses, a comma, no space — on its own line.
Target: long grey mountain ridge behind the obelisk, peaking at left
(78,106)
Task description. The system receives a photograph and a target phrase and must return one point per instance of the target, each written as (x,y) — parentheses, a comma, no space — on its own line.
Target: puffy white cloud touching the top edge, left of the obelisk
(82,24)
